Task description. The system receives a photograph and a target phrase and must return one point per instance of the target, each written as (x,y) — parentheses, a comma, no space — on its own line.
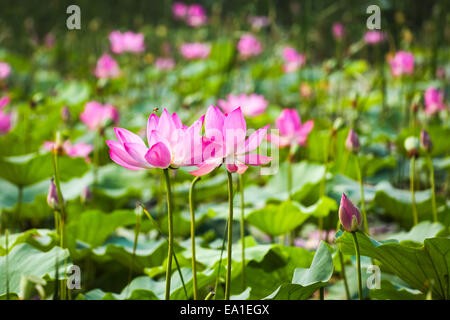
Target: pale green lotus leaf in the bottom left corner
(25,260)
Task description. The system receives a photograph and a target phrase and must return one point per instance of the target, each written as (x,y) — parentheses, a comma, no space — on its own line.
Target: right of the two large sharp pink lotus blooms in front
(227,134)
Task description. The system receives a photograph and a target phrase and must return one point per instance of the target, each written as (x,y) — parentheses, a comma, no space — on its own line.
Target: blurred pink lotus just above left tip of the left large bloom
(96,115)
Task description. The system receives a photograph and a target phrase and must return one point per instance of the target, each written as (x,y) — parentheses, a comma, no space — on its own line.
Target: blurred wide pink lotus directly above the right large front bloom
(251,105)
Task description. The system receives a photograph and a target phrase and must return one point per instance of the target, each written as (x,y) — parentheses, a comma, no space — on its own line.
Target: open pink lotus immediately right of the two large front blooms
(292,131)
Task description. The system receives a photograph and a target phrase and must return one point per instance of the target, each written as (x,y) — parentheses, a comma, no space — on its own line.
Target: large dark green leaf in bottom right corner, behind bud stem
(419,266)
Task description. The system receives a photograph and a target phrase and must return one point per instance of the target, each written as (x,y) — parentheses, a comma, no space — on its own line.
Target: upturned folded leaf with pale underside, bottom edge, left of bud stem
(307,280)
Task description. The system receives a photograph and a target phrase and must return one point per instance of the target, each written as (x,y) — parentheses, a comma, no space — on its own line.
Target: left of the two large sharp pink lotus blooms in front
(170,143)
